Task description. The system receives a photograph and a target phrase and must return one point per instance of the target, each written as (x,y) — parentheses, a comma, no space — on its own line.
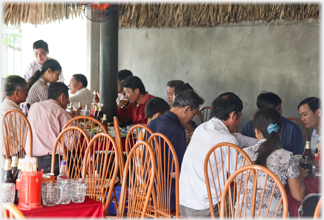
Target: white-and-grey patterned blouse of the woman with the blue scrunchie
(283,164)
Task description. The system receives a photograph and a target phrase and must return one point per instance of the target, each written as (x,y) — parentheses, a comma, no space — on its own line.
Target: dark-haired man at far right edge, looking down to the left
(310,113)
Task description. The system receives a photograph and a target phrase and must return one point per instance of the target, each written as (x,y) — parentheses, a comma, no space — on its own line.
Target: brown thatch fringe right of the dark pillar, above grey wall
(152,15)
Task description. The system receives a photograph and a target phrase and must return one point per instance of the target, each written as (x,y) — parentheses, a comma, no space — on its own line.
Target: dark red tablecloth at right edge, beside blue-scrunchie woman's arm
(312,185)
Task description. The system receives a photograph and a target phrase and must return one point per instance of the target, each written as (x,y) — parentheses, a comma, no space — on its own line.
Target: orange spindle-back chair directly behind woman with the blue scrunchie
(260,184)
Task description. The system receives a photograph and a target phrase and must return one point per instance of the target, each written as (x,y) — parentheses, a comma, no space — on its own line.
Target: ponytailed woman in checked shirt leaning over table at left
(37,84)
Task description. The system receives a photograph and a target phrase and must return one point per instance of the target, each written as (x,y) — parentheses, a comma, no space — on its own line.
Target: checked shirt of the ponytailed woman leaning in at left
(38,92)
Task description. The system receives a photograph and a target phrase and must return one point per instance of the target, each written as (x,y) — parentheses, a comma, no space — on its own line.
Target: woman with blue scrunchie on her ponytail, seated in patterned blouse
(268,152)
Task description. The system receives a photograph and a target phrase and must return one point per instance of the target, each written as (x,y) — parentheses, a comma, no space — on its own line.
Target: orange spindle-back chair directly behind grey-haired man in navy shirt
(166,173)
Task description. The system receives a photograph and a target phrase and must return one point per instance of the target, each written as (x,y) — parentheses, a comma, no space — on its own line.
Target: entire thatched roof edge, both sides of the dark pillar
(157,15)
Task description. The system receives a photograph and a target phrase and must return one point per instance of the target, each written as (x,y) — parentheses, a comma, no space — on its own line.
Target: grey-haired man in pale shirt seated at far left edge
(15,90)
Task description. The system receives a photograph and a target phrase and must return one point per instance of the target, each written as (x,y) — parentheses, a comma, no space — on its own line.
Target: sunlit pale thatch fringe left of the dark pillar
(39,13)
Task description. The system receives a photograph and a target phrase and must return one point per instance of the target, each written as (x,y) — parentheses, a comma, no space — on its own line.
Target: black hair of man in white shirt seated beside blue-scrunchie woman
(224,104)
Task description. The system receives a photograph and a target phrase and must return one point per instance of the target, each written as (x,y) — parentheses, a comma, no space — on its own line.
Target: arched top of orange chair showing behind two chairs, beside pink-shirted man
(89,124)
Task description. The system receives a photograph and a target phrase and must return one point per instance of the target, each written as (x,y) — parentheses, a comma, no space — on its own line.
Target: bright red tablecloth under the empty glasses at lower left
(88,209)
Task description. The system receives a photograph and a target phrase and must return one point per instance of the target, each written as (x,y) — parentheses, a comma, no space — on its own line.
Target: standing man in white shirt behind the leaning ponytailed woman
(41,51)
